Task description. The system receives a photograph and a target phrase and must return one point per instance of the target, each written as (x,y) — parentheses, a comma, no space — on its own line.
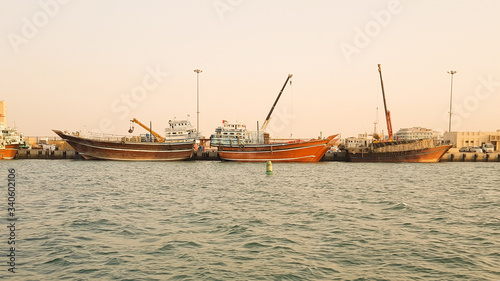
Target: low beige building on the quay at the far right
(468,139)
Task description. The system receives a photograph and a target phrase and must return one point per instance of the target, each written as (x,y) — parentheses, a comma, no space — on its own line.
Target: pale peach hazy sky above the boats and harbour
(94,65)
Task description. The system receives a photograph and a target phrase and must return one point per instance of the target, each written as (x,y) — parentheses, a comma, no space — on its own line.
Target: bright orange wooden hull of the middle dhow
(308,151)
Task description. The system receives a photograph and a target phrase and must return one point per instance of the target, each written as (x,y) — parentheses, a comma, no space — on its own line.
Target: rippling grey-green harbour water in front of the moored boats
(99,220)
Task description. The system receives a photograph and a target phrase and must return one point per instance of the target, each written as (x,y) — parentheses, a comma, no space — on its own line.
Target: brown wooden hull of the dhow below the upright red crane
(425,155)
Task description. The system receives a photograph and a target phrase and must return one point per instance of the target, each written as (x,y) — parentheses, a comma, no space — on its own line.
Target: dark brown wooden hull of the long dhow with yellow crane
(128,151)
